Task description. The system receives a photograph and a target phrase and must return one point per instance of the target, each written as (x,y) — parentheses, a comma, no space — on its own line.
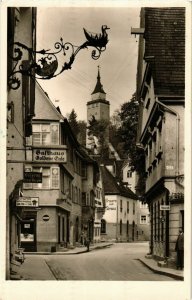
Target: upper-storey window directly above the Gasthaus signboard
(45,134)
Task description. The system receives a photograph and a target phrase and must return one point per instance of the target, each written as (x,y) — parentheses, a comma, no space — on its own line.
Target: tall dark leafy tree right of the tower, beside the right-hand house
(129,115)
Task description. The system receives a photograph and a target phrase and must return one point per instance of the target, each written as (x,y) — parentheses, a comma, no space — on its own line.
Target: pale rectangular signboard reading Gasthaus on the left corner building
(50,155)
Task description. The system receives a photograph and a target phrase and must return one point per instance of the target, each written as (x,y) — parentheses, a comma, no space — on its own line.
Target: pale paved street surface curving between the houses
(105,264)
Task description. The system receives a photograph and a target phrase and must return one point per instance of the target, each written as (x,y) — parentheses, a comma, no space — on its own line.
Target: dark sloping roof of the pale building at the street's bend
(113,187)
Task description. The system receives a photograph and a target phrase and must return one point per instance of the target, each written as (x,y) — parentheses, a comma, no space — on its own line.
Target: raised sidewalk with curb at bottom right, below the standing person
(152,265)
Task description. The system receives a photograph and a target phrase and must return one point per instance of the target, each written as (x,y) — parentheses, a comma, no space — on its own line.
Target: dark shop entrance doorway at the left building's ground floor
(28,234)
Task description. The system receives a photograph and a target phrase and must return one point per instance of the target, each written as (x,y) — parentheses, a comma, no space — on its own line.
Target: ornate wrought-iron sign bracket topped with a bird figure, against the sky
(44,64)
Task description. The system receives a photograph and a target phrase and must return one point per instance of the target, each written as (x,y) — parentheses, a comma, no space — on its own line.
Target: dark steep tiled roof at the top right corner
(165,40)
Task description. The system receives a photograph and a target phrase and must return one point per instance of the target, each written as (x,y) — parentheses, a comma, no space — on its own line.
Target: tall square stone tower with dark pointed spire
(98,107)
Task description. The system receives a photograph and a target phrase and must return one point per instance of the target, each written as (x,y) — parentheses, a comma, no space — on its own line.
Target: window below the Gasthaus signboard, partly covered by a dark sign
(50,178)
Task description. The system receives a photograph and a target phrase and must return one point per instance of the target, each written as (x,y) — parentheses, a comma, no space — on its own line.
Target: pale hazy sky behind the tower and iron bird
(118,63)
